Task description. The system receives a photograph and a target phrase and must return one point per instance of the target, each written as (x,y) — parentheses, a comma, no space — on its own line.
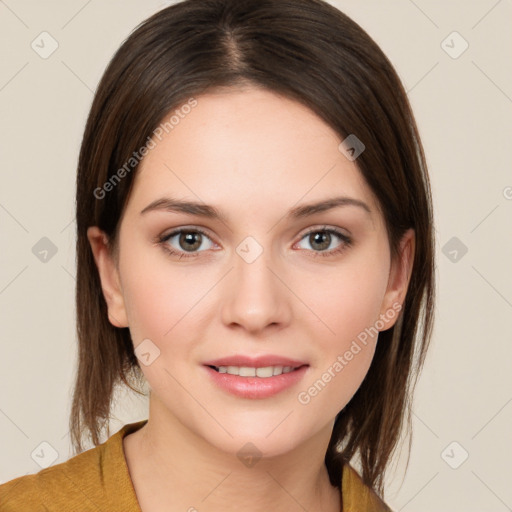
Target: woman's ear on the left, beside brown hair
(109,276)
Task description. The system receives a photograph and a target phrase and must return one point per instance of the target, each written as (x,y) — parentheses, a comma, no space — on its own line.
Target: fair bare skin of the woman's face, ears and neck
(254,155)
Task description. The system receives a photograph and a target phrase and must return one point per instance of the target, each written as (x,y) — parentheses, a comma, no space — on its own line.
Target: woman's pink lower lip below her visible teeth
(256,387)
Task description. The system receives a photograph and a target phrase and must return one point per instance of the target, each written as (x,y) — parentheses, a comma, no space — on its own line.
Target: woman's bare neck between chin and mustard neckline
(171,466)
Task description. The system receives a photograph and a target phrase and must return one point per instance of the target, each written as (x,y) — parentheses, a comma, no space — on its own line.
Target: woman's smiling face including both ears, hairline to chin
(249,272)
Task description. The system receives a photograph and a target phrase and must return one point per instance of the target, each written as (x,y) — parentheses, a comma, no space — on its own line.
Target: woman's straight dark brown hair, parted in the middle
(311,52)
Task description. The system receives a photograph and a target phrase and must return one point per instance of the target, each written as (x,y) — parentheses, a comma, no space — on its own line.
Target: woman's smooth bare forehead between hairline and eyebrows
(247,149)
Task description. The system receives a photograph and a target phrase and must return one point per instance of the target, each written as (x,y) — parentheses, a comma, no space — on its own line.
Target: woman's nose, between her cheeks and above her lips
(255,296)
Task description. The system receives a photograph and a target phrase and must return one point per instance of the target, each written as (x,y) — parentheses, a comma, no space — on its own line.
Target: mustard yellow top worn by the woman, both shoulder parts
(98,480)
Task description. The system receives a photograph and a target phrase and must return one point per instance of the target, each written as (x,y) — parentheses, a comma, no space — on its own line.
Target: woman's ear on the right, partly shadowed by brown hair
(398,281)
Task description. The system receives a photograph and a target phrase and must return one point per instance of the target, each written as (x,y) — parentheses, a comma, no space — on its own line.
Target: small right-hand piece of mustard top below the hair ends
(357,496)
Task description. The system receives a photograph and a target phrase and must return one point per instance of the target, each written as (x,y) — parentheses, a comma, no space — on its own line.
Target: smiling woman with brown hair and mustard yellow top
(254,241)
